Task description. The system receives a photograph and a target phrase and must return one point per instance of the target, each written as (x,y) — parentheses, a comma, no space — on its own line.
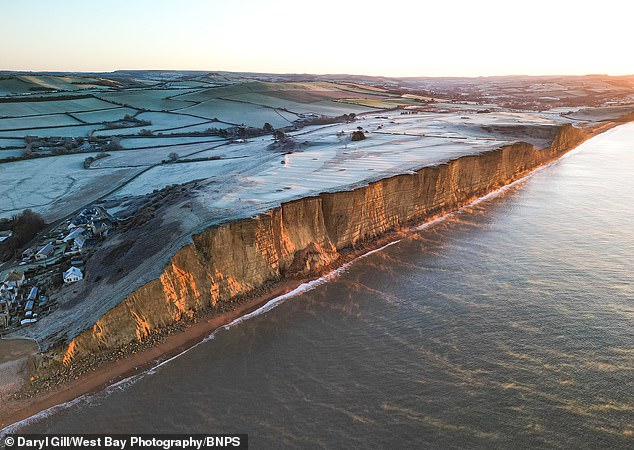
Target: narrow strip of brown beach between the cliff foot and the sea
(109,373)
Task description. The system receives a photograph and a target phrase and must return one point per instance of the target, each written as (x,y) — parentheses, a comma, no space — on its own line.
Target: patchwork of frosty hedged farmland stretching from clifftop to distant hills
(319,157)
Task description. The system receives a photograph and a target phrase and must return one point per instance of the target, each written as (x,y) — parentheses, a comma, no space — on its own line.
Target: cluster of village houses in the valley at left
(55,260)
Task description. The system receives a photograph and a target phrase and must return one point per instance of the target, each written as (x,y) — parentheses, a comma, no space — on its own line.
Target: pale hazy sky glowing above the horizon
(397,38)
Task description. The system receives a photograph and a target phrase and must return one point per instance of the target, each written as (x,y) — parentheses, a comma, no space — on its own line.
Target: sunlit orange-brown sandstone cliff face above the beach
(303,238)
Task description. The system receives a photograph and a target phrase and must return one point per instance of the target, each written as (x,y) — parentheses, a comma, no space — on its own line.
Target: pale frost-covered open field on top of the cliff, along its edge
(255,177)
